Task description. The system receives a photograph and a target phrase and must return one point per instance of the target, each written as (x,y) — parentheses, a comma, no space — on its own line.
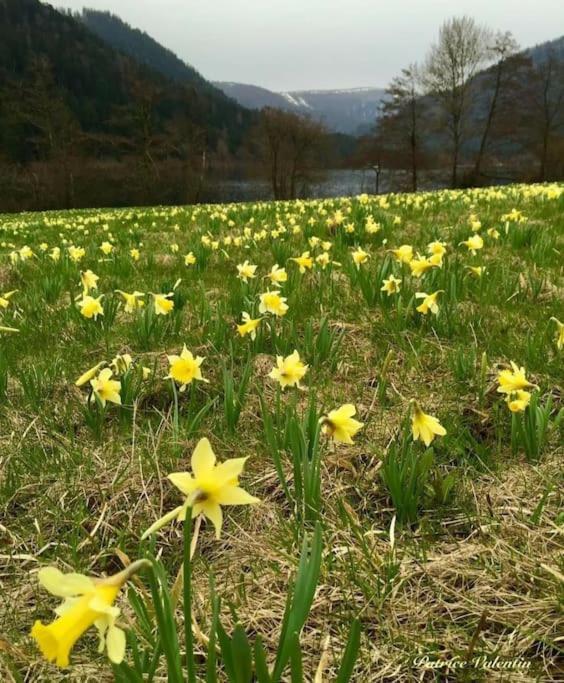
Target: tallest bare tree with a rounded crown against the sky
(451,64)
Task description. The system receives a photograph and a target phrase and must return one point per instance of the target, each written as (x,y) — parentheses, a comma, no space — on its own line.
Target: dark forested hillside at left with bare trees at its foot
(92,118)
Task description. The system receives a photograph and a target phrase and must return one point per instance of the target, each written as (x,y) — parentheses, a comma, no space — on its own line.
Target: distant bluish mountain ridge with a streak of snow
(352,111)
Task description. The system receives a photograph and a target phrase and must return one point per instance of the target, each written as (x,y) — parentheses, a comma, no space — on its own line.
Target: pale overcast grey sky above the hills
(303,44)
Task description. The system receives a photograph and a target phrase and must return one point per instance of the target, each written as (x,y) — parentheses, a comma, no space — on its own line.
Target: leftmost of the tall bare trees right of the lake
(401,114)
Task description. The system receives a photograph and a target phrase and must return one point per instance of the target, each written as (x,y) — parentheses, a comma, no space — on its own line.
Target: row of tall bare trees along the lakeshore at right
(495,109)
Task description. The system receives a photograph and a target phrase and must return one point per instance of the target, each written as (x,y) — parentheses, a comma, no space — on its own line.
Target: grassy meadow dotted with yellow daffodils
(436,541)
